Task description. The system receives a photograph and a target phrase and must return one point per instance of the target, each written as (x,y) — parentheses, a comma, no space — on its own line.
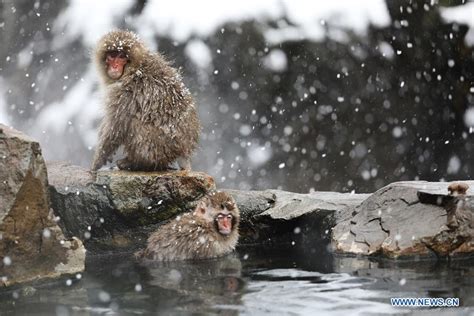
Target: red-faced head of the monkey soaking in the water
(220,210)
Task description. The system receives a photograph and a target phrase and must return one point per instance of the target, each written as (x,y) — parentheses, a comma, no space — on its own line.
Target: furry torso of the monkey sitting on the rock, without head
(161,119)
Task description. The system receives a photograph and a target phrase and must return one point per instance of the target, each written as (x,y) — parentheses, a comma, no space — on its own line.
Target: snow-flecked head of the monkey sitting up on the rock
(119,53)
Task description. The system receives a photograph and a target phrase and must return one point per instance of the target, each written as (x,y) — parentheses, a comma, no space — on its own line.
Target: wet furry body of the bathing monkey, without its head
(186,238)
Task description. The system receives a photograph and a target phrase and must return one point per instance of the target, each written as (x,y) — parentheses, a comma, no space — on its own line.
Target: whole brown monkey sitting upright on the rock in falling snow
(148,109)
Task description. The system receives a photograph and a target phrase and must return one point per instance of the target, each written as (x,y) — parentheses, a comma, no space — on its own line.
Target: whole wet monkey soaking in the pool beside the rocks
(211,230)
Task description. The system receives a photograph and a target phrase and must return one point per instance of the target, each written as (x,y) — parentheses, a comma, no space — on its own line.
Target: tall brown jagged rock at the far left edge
(32,245)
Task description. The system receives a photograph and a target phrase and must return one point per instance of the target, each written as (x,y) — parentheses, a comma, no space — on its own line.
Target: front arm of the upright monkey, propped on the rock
(109,136)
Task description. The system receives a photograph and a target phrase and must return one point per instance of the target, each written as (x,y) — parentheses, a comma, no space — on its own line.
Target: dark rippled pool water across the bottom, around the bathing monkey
(251,282)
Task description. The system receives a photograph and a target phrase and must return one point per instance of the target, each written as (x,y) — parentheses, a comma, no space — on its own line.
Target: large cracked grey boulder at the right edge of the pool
(407,219)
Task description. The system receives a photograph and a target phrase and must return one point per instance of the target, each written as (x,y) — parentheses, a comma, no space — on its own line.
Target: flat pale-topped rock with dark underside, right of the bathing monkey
(284,217)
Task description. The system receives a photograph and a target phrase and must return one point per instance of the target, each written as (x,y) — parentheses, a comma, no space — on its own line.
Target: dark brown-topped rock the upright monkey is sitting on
(120,210)
